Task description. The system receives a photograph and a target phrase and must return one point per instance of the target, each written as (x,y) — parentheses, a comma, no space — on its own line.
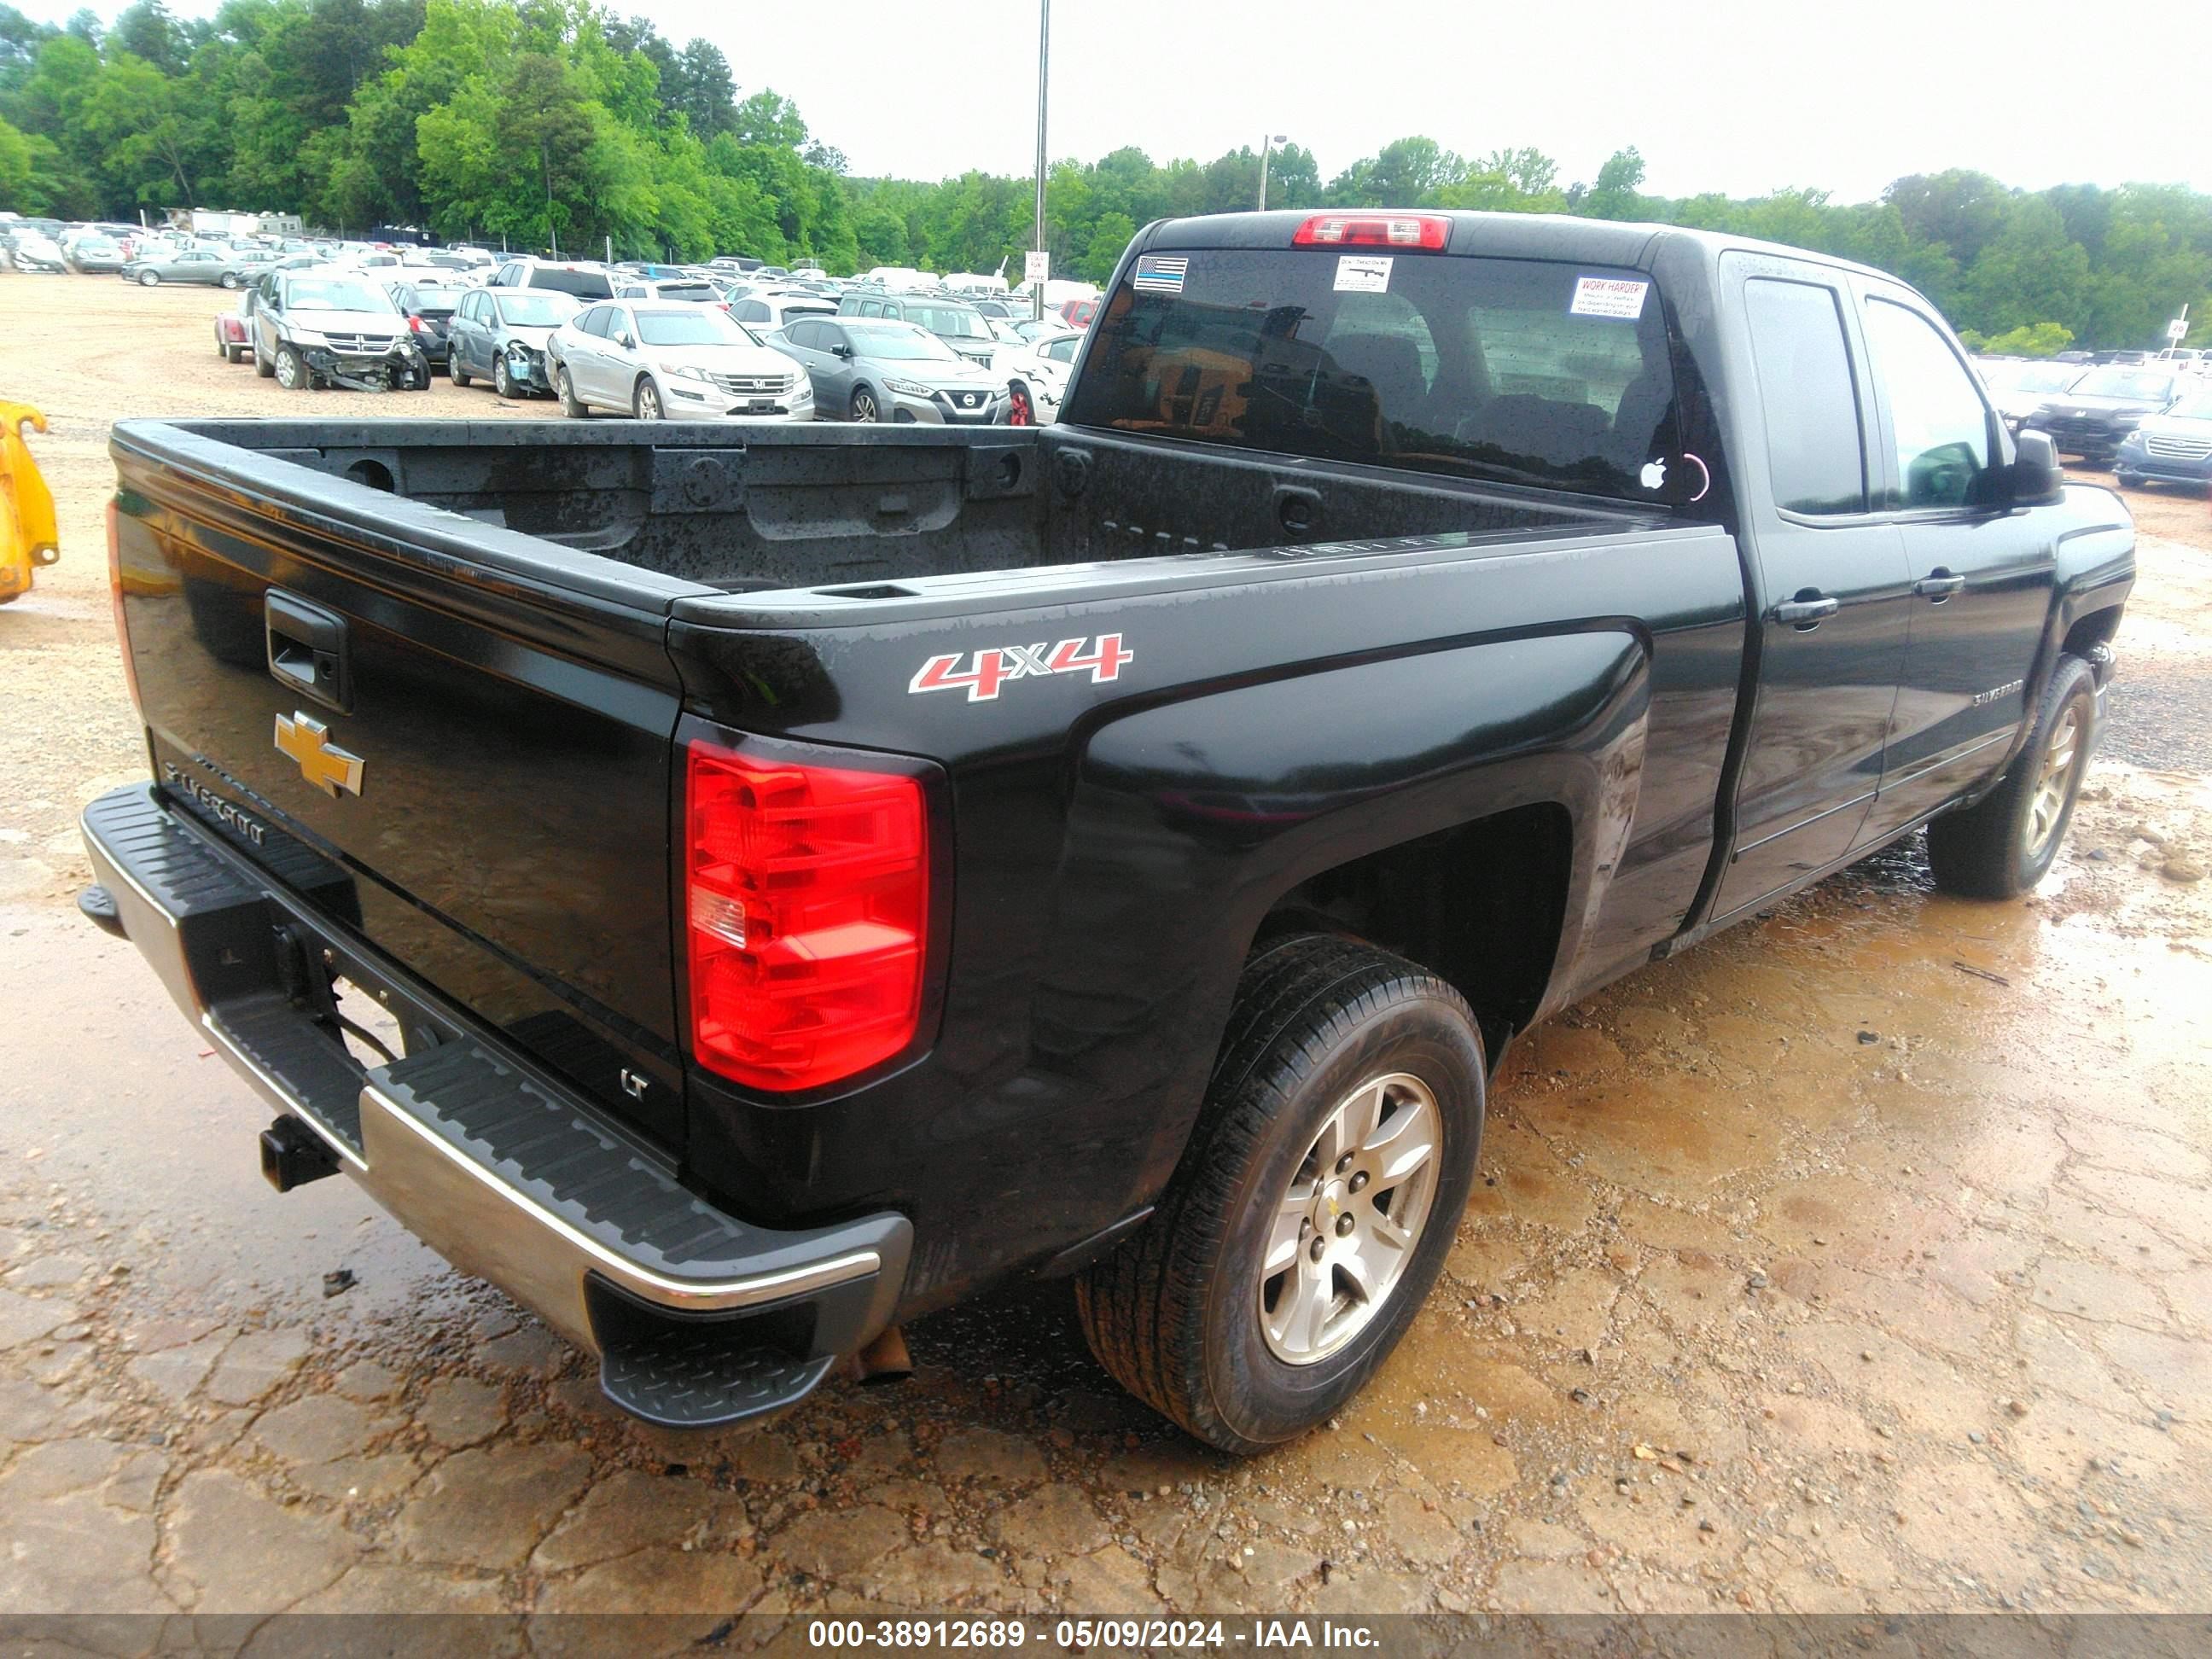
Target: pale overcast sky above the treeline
(1738,96)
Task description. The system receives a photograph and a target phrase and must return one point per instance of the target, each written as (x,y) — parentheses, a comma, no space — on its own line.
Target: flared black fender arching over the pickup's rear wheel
(1191,820)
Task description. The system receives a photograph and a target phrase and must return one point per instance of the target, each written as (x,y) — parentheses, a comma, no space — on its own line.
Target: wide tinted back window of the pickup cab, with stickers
(1512,371)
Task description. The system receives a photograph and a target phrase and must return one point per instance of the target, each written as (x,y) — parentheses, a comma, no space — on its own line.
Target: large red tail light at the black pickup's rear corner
(806,901)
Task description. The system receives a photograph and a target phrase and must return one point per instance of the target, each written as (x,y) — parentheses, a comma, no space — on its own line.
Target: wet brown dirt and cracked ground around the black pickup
(1859,1260)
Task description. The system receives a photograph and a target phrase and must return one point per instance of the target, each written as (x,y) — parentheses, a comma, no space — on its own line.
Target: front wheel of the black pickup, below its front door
(2005,844)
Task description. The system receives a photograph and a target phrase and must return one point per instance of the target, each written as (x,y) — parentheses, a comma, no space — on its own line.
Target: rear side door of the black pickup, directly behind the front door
(1830,583)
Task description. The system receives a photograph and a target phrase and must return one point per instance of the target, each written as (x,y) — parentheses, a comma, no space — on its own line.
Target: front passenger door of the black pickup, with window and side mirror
(1983,576)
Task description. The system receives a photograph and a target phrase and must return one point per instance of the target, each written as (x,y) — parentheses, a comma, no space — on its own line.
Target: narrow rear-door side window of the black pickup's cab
(1817,459)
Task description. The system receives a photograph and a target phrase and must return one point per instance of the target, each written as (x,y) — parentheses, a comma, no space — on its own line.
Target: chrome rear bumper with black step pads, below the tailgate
(483,1156)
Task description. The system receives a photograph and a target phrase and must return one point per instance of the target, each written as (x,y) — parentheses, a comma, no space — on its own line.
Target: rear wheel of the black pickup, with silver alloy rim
(1238,1308)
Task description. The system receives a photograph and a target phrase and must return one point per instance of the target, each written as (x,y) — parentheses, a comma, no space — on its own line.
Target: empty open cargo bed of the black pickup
(837,510)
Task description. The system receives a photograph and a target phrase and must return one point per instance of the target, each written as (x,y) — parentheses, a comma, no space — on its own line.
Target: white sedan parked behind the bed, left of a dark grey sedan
(674,362)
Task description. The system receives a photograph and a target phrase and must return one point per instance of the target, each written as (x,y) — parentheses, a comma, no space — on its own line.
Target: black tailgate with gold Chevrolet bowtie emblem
(463,731)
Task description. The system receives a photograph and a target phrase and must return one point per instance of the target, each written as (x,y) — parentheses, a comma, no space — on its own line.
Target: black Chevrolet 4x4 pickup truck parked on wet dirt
(744,890)
